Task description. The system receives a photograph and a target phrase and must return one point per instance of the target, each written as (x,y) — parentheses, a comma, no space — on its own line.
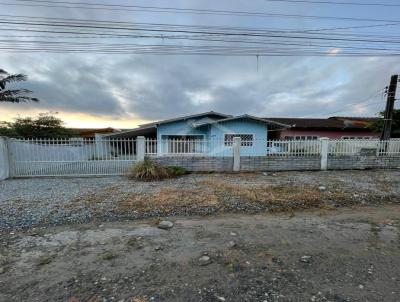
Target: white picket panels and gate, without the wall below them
(76,157)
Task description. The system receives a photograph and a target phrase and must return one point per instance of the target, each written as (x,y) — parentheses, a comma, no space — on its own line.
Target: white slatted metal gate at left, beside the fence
(70,157)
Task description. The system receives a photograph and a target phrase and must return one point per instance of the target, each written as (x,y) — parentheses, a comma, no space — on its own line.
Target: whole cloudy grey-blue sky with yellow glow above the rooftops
(124,90)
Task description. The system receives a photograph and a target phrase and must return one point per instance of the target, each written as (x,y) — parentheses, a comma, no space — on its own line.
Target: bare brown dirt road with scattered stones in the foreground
(348,254)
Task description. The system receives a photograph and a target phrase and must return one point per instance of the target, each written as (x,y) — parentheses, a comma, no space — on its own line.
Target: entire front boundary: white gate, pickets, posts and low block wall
(104,156)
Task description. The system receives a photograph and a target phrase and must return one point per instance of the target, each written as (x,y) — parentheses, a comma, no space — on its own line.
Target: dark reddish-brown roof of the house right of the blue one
(326,123)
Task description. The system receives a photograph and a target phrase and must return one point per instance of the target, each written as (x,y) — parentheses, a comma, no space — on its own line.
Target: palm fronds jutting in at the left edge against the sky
(13,95)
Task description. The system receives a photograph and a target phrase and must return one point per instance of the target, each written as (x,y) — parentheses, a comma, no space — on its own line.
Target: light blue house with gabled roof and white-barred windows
(209,133)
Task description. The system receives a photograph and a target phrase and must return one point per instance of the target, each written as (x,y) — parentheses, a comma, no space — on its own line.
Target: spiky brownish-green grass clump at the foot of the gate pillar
(148,170)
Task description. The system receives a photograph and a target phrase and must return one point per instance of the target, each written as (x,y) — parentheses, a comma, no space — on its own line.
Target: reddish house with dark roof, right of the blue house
(333,128)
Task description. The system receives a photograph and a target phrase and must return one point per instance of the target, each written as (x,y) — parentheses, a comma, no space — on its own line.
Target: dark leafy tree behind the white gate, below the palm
(45,125)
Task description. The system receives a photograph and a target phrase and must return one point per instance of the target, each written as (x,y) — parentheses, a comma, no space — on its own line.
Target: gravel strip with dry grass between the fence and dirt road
(26,203)
